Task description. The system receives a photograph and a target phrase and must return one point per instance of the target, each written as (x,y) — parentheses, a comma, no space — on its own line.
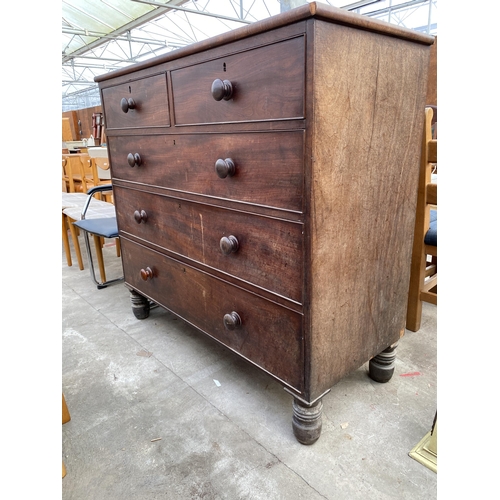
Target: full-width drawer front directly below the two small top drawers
(268,167)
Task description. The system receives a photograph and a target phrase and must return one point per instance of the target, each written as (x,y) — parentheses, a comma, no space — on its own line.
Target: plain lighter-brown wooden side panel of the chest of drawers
(369,93)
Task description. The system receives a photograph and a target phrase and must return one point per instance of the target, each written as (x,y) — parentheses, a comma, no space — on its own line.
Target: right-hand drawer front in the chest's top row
(267,84)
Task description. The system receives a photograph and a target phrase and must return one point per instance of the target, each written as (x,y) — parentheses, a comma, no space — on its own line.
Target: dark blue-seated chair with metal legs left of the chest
(99,227)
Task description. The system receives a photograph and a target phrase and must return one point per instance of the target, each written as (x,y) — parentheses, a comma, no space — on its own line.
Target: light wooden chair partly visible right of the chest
(423,277)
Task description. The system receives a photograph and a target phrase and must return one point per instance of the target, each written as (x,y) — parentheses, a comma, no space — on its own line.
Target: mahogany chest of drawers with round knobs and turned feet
(265,183)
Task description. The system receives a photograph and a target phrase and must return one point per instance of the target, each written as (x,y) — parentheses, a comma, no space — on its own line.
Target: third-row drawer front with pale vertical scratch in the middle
(261,250)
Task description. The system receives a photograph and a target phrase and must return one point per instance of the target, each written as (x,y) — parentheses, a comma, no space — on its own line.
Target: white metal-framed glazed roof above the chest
(99,36)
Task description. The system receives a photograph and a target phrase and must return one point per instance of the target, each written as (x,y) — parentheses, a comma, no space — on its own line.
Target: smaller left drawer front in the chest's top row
(149,107)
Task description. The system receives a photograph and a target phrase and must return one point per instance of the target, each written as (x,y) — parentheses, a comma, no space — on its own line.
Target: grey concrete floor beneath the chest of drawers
(158,411)
